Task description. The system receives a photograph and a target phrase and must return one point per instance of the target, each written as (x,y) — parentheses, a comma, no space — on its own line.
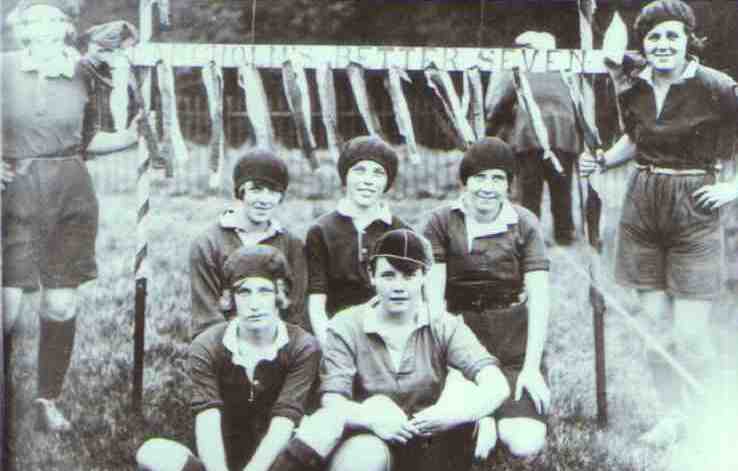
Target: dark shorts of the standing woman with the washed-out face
(50,217)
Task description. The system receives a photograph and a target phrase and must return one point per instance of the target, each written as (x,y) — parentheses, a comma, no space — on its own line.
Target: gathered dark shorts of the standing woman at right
(667,243)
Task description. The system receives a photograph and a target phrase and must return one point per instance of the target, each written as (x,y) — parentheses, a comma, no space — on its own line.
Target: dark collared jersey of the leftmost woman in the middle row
(208,253)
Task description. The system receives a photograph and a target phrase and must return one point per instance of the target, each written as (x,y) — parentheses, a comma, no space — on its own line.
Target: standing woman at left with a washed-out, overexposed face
(50,211)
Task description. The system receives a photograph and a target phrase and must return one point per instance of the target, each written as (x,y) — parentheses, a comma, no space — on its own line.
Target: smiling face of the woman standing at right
(665,47)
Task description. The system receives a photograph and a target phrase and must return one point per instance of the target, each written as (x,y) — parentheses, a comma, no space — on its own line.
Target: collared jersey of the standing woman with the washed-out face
(43,116)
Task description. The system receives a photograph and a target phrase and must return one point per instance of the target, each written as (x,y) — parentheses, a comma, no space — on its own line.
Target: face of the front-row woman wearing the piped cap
(399,292)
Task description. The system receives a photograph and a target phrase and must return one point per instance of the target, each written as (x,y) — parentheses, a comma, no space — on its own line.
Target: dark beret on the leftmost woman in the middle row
(261,165)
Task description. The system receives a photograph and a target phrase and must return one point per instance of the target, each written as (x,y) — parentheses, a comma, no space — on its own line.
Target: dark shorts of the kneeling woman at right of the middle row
(504,332)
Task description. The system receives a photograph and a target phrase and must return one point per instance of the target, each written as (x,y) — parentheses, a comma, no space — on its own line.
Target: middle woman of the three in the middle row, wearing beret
(338,243)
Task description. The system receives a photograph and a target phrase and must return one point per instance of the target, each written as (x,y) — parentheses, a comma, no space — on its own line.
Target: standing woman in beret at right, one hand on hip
(680,120)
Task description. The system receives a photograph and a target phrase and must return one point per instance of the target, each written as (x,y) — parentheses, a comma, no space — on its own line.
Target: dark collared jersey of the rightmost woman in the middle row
(499,258)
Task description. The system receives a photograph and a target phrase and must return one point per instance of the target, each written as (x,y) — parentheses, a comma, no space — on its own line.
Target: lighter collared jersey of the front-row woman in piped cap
(357,363)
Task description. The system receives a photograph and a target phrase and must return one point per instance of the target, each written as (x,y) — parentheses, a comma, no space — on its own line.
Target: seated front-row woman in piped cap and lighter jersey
(385,364)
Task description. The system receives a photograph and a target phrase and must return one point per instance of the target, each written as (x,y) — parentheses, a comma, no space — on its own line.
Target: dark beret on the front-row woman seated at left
(256,260)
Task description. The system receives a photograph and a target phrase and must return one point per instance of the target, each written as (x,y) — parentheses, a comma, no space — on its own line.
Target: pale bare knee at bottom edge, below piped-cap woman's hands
(363,452)
